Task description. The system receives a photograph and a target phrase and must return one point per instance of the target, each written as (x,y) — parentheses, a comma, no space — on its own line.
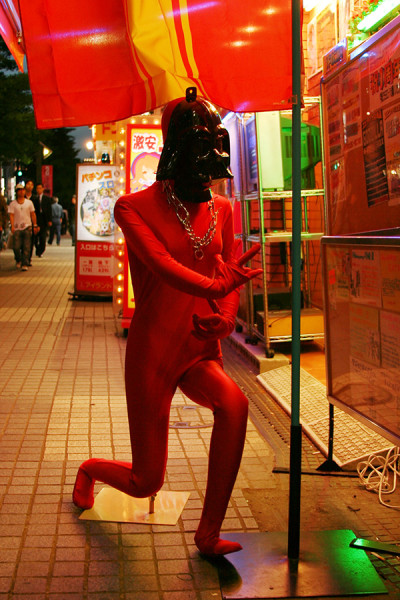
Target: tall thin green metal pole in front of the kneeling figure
(295,431)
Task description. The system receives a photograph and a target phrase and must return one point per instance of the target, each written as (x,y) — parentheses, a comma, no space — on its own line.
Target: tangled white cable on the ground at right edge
(379,473)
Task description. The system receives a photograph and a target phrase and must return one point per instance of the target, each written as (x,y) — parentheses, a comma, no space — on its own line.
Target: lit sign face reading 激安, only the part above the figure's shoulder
(143,153)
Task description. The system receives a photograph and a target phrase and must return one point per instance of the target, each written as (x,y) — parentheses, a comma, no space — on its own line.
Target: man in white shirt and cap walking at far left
(22,217)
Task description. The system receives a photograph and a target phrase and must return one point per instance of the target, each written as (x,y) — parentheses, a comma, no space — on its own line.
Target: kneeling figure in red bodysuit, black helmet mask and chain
(185,278)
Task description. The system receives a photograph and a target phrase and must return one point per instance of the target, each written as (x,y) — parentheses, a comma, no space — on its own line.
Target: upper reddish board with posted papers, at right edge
(361,116)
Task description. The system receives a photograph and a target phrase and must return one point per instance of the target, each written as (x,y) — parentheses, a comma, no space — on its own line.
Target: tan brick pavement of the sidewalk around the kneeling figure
(62,400)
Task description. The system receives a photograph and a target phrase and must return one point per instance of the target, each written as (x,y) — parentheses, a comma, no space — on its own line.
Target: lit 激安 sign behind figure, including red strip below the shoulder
(144,146)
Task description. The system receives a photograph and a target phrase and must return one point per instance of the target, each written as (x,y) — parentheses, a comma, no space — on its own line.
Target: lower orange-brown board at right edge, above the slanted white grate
(362,306)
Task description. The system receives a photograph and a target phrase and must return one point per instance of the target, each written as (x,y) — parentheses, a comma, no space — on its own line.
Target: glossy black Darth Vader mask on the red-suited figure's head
(196,147)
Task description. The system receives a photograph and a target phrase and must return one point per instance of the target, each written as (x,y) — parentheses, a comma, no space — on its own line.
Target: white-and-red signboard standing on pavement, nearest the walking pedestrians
(97,187)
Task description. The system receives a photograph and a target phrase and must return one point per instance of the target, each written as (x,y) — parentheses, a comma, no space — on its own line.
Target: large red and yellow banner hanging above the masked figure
(101,60)
